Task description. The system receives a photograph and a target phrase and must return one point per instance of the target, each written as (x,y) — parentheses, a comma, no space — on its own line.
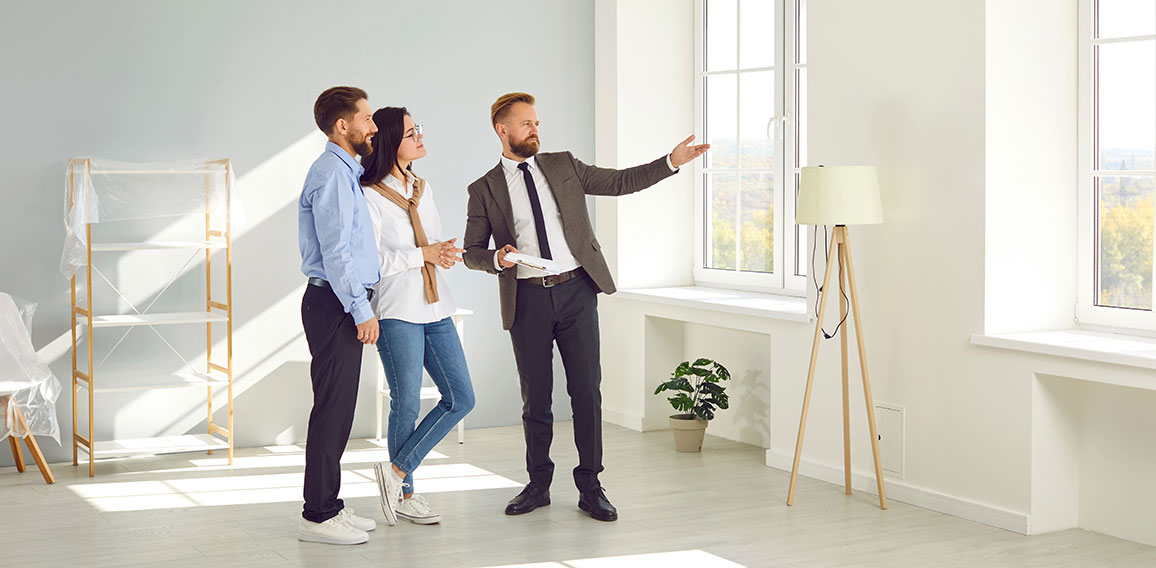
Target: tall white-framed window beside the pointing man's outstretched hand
(751,93)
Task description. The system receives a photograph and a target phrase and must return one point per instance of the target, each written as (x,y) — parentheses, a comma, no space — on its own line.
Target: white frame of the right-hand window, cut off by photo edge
(1088,315)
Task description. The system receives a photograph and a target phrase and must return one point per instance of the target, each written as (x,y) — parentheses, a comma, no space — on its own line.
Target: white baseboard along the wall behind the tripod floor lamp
(907,493)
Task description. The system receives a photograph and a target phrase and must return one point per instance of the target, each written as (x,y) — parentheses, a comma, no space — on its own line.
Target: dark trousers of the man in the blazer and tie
(567,314)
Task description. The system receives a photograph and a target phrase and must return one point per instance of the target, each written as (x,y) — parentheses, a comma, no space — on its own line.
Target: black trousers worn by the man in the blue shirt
(336,371)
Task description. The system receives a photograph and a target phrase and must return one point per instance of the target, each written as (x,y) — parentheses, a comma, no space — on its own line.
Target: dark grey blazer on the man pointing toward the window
(490,215)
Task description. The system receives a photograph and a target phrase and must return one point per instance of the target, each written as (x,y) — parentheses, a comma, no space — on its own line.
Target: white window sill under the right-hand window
(1115,349)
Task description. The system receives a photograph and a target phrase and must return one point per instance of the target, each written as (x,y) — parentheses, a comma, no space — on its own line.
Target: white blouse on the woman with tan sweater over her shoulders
(401,294)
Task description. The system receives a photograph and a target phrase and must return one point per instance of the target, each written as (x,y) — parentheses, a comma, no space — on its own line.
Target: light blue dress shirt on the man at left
(335,231)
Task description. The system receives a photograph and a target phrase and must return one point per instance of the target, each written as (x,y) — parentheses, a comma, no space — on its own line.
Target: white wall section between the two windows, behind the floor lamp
(901,85)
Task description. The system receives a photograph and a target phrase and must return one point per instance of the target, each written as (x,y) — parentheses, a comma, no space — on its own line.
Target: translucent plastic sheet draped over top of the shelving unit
(100,191)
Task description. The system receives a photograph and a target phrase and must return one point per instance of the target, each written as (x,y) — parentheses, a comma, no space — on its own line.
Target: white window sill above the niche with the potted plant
(747,304)
